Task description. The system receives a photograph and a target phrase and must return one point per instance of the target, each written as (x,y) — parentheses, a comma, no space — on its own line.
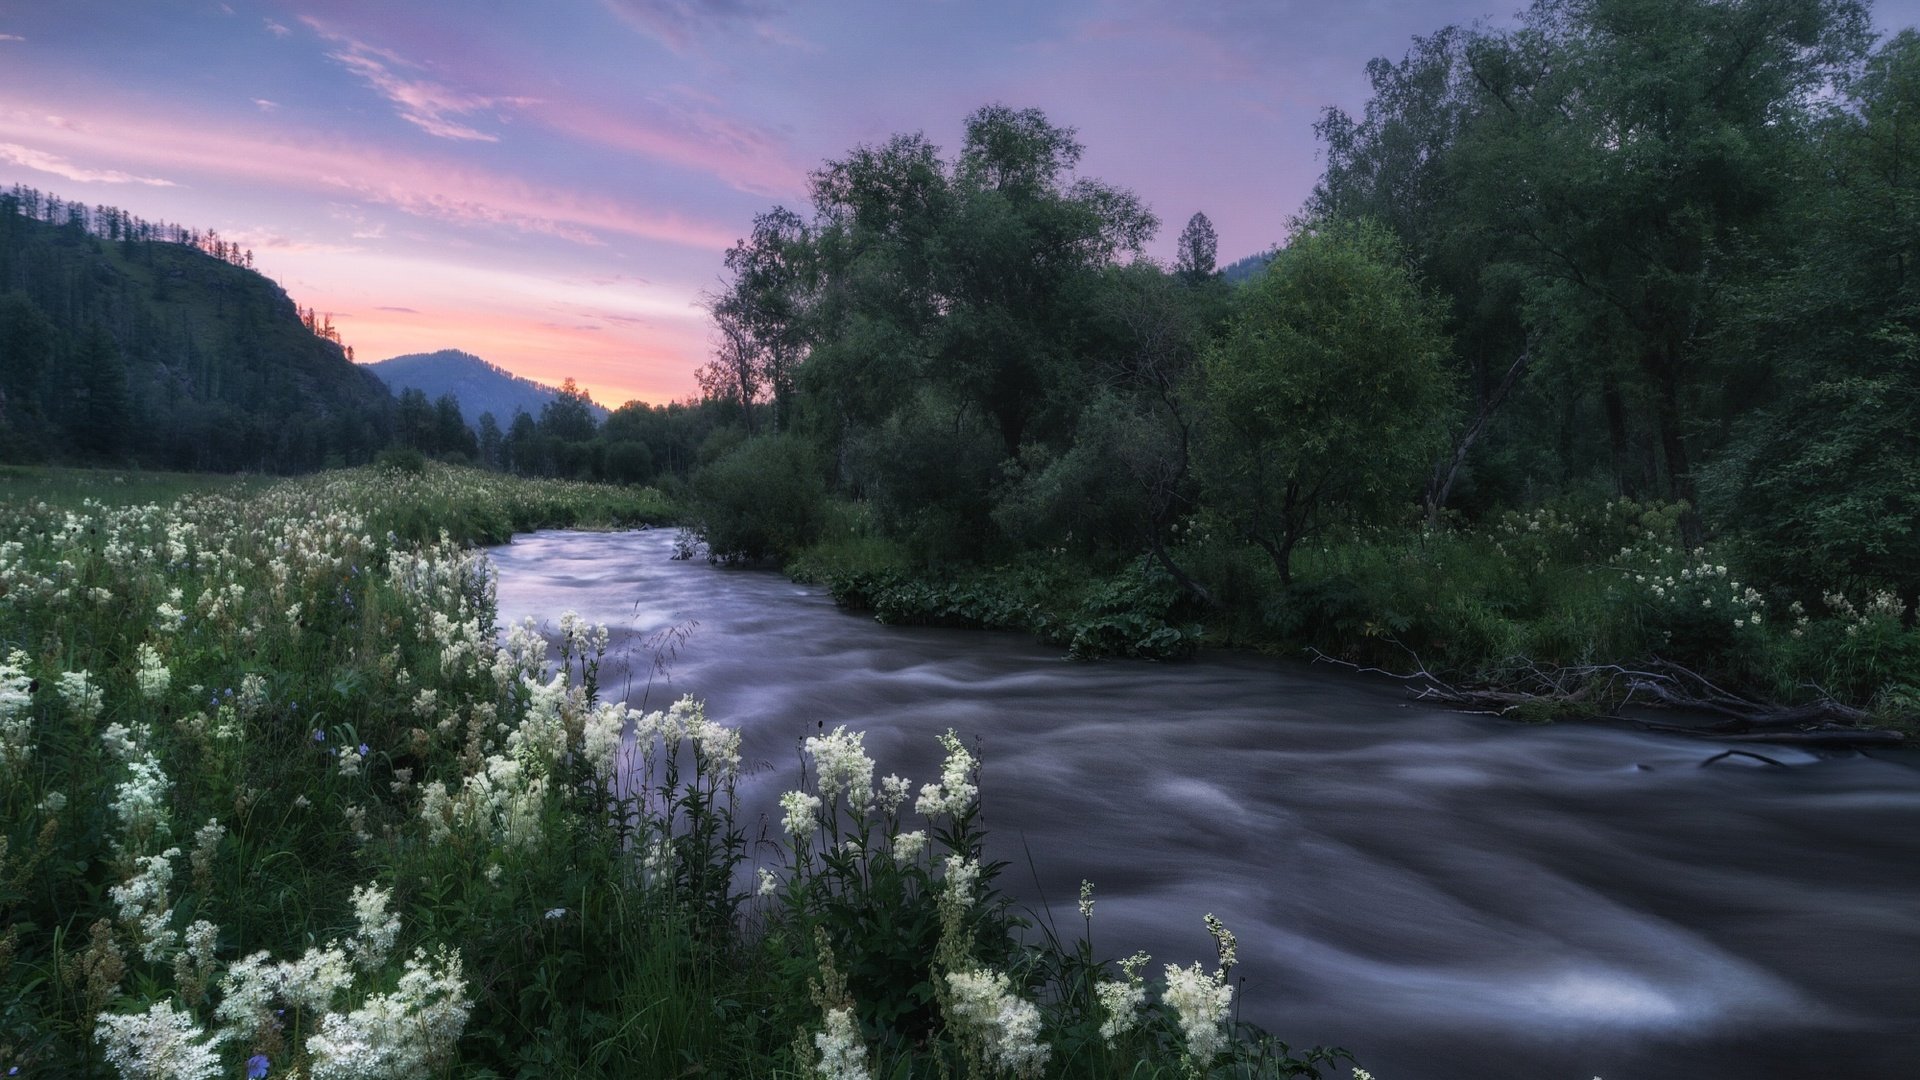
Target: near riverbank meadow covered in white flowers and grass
(281,800)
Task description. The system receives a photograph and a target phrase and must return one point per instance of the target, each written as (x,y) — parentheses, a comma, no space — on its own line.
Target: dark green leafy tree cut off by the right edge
(1823,483)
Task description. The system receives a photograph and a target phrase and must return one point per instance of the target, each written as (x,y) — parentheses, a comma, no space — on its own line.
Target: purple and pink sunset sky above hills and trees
(554,185)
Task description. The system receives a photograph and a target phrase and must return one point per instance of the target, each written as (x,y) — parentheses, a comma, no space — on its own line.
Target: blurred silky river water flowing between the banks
(1443,895)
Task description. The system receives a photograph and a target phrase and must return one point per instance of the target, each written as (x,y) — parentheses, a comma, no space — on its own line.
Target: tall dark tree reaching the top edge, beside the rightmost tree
(1631,159)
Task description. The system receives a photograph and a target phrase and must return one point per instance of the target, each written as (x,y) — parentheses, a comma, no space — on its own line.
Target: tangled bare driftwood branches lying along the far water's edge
(1606,689)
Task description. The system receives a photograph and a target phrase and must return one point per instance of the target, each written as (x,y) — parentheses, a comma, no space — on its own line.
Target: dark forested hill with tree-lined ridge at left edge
(130,345)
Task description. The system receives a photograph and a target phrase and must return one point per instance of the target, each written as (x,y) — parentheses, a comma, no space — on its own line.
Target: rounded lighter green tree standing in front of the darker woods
(1330,393)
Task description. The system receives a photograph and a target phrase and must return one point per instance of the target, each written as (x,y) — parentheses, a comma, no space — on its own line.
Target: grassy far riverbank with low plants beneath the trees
(1570,587)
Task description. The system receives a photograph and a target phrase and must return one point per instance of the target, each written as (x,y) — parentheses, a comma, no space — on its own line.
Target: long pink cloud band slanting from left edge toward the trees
(416,185)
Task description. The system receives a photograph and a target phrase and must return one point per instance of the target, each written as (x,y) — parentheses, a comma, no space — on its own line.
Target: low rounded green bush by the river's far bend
(759,501)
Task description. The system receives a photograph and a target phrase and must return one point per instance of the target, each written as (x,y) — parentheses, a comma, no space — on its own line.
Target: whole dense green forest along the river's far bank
(1593,345)
